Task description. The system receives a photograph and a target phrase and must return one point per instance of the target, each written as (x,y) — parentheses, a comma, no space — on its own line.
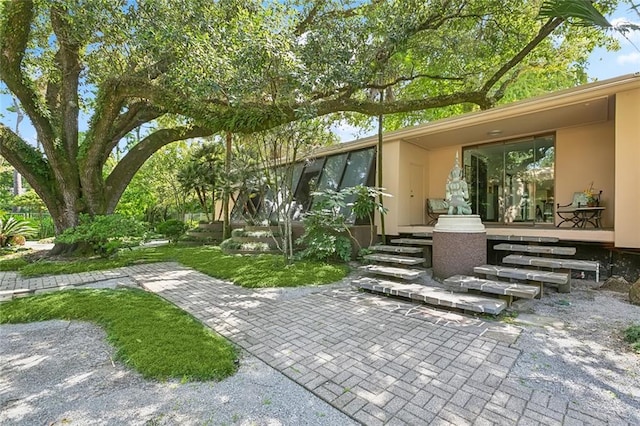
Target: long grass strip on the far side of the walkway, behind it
(264,270)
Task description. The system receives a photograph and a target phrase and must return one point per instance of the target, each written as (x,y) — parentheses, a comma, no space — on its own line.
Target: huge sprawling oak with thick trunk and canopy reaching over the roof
(241,67)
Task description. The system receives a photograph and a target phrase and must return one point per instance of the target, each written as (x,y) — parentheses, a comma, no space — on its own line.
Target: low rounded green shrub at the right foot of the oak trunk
(105,234)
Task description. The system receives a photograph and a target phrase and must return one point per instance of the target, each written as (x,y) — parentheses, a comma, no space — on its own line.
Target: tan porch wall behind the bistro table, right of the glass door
(584,155)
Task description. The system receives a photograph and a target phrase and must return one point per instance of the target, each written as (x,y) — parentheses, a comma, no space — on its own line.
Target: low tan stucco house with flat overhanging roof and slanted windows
(520,160)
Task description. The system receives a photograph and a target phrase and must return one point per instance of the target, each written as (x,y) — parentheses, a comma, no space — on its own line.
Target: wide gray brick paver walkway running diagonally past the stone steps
(374,364)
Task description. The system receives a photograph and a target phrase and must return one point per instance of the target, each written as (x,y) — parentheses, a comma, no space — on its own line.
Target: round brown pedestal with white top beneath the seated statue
(459,244)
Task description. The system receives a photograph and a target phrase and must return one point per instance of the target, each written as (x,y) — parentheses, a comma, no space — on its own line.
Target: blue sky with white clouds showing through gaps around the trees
(602,65)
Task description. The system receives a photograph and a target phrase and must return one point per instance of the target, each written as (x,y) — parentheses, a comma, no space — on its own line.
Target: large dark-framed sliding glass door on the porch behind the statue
(512,181)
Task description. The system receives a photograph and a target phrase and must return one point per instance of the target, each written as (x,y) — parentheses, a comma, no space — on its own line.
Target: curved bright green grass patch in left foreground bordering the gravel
(150,334)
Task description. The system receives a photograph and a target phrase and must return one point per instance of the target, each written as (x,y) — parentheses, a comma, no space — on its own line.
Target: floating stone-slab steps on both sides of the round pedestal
(492,289)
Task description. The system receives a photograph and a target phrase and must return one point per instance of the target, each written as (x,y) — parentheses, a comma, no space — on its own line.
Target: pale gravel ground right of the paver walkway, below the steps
(572,345)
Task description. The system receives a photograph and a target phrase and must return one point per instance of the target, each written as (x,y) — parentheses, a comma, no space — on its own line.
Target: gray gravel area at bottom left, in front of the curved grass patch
(61,372)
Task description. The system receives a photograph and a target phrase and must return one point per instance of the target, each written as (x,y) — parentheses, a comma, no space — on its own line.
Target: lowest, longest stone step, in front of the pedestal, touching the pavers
(434,296)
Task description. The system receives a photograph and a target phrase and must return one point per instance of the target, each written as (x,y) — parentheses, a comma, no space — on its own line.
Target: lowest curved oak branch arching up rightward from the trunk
(122,174)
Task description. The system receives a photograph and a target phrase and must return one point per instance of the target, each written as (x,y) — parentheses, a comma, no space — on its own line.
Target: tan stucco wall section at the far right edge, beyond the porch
(627,171)
